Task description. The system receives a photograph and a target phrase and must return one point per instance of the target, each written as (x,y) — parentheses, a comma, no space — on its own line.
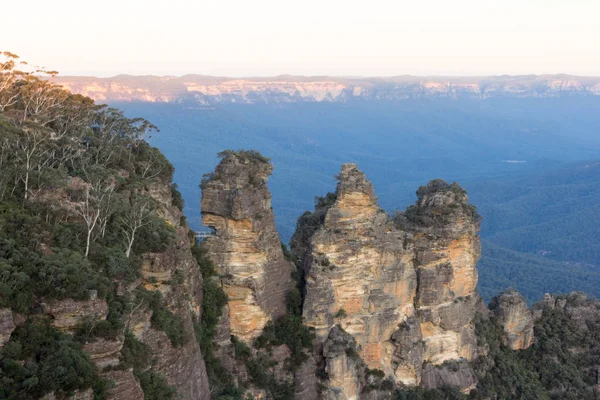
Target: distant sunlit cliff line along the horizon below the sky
(208,90)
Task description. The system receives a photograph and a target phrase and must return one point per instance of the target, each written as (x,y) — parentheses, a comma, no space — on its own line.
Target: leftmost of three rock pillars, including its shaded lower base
(252,270)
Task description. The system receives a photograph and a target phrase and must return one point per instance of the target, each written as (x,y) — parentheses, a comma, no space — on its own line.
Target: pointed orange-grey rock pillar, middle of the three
(362,274)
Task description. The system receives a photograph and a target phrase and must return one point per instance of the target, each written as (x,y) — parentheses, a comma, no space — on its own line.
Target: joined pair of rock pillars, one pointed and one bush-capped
(404,289)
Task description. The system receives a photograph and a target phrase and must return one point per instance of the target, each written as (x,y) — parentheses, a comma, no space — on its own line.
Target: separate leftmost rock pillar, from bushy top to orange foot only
(245,249)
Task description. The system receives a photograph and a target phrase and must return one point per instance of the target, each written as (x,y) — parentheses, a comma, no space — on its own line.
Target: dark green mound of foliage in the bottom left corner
(38,359)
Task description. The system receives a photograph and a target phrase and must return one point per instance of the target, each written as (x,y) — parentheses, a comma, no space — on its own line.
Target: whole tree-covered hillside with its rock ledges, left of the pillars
(81,201)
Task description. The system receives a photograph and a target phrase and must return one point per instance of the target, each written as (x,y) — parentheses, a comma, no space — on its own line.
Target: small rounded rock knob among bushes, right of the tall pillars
(511,312)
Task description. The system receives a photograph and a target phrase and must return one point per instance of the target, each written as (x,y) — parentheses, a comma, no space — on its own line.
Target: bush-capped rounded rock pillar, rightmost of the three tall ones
(444,231)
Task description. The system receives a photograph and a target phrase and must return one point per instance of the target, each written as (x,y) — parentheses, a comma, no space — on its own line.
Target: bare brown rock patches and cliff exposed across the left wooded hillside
(182,365)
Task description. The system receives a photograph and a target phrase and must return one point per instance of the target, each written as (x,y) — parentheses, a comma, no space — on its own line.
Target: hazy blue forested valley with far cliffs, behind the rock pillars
(512,142)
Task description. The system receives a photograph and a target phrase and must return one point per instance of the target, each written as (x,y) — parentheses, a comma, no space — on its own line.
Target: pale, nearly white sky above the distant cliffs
(308,37)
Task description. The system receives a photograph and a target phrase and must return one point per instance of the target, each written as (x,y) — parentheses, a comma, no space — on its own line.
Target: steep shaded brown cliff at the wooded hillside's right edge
(183,366)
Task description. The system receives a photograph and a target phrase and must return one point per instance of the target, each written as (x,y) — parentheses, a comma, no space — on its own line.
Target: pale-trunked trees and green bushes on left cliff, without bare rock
(76,215)
